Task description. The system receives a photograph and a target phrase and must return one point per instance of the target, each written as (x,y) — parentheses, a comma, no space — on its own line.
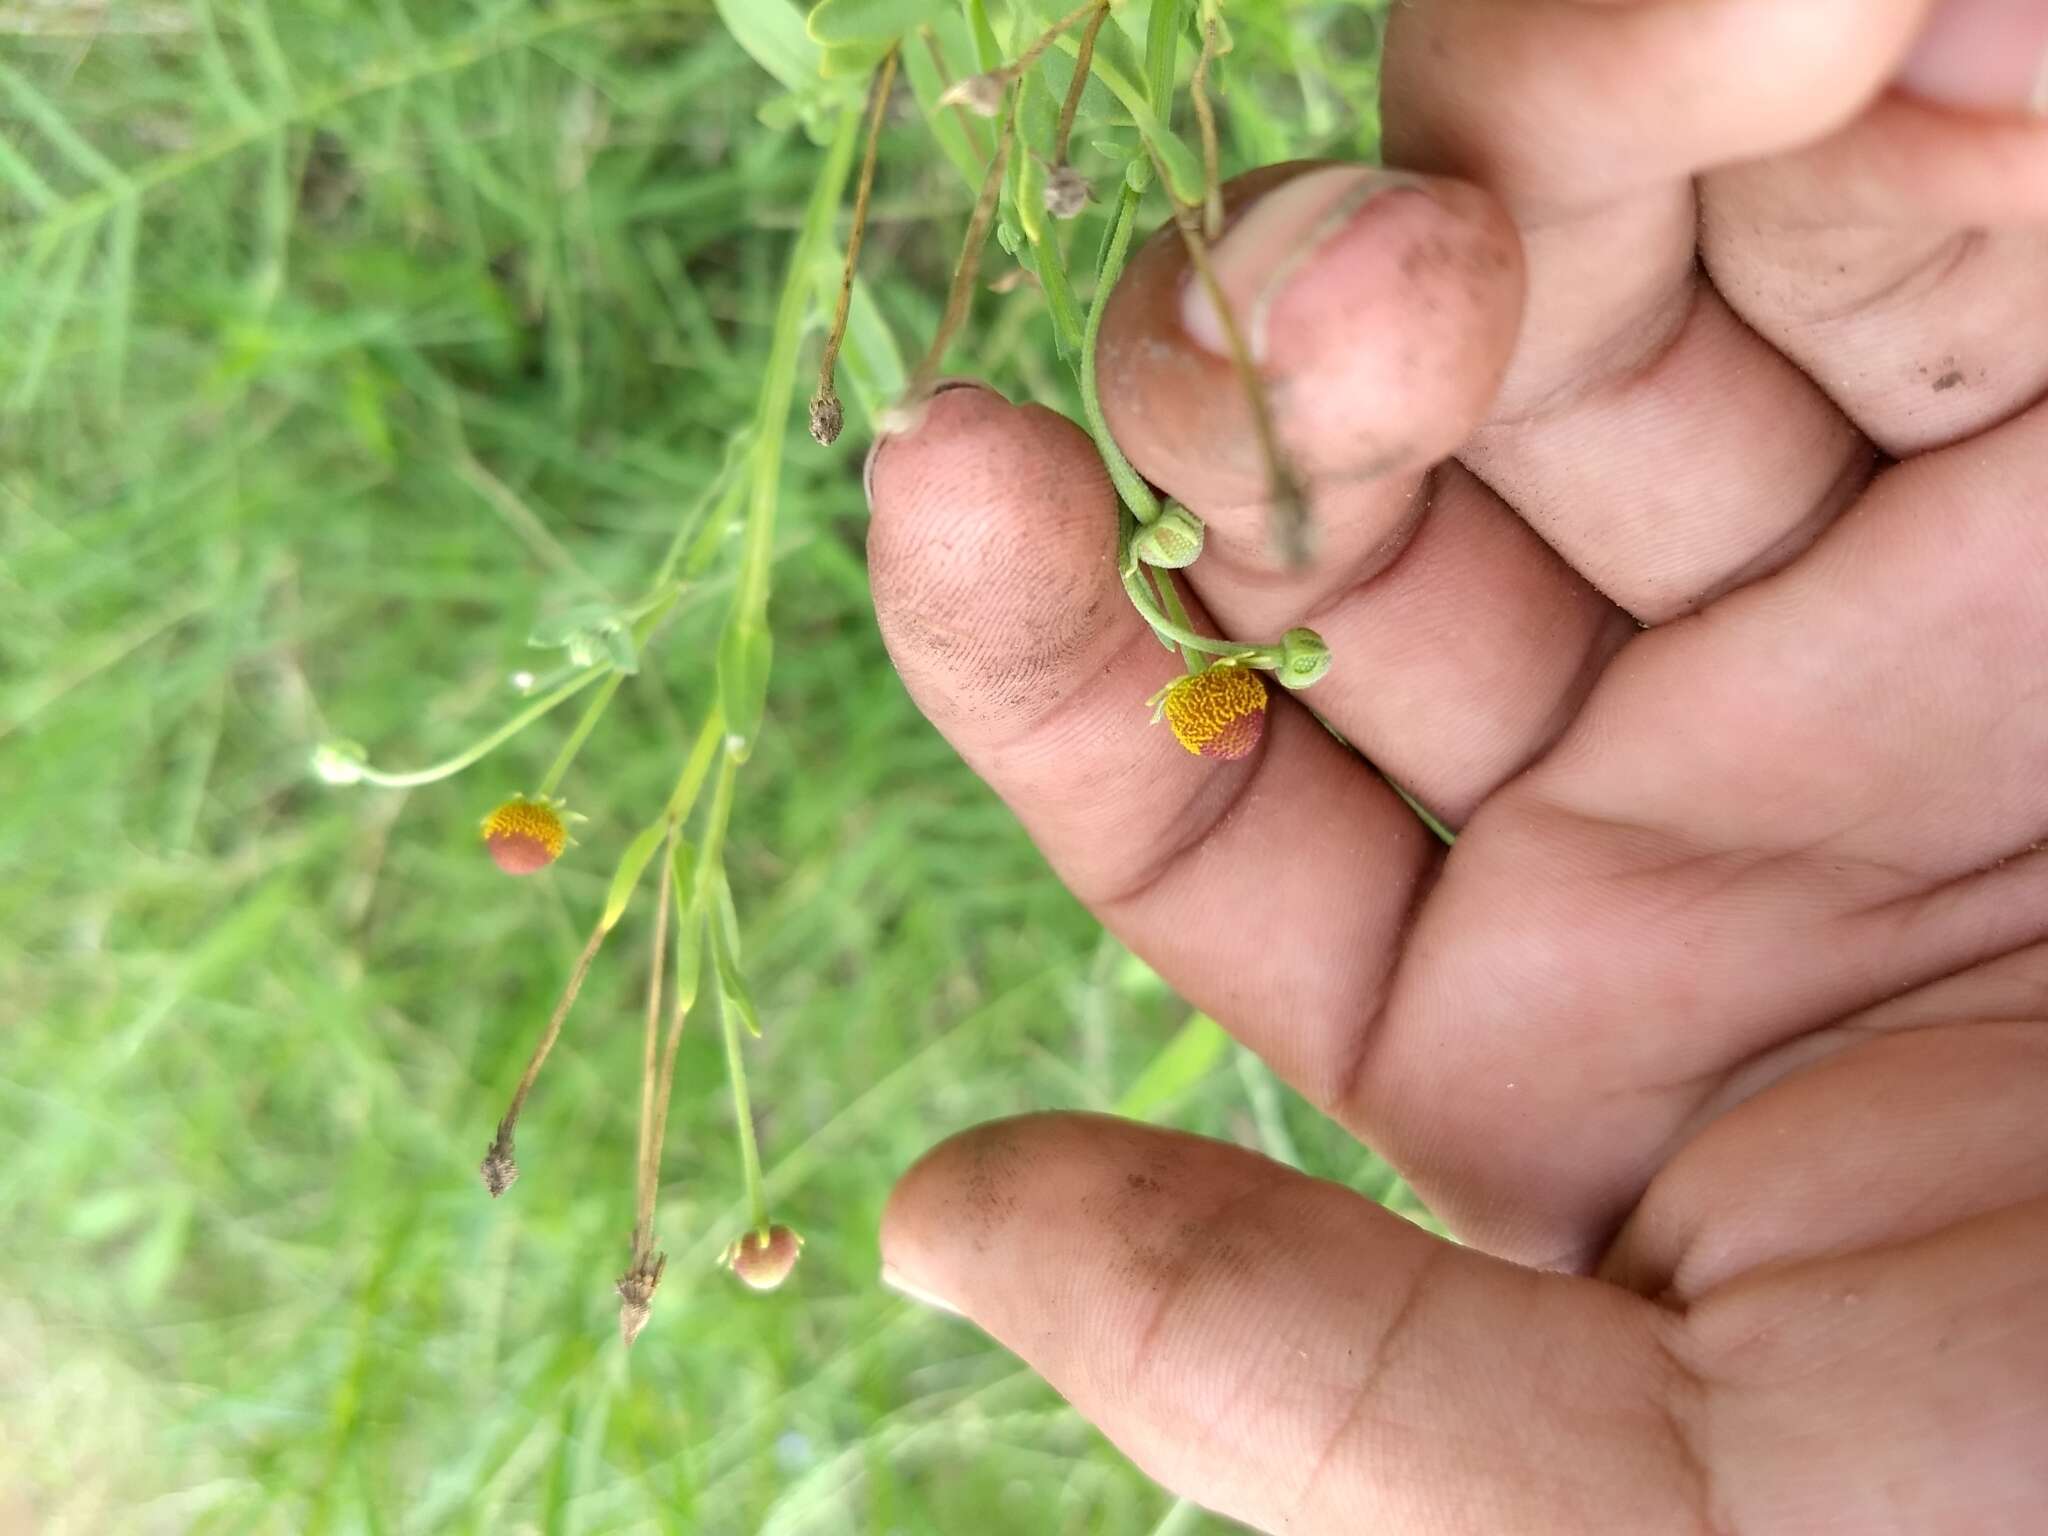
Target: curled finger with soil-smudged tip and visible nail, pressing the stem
(1381,312)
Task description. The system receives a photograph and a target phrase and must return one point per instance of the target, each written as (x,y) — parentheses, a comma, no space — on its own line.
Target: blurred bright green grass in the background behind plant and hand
(339,341)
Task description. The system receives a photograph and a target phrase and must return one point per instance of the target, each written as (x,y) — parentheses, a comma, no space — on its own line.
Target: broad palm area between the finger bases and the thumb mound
(1820,796)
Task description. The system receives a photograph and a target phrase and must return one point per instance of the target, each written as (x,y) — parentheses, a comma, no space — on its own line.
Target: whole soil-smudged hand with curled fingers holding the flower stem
(1721,1037)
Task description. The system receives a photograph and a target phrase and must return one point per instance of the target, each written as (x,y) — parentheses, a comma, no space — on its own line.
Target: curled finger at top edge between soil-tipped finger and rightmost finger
(1719,458)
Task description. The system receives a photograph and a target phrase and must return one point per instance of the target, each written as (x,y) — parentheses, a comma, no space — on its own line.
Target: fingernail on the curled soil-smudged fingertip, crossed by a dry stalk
(1269,243)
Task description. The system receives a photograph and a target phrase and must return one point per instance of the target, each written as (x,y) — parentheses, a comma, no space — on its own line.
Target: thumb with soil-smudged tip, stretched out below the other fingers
(1287,1353)
